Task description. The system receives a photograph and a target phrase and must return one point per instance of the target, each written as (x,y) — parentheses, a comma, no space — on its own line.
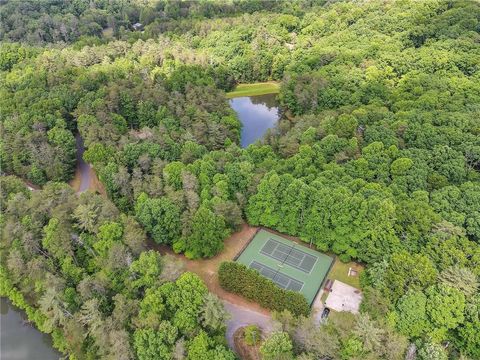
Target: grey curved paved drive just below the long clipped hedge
(242,316)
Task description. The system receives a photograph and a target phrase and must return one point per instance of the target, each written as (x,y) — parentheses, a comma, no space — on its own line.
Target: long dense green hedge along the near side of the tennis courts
(239,279)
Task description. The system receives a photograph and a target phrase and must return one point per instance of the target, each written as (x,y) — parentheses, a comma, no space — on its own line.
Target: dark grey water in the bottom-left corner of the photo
(20,340)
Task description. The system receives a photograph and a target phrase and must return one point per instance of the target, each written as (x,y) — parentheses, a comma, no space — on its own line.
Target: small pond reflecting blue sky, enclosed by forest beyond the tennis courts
(257,114)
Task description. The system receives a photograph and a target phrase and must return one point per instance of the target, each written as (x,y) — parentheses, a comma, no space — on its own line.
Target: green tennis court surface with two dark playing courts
(289,265)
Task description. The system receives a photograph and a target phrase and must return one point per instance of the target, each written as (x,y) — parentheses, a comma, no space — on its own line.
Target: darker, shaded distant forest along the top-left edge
(46,21)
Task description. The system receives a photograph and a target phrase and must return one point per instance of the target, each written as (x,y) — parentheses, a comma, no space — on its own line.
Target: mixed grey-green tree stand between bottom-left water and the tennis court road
(80,270)
